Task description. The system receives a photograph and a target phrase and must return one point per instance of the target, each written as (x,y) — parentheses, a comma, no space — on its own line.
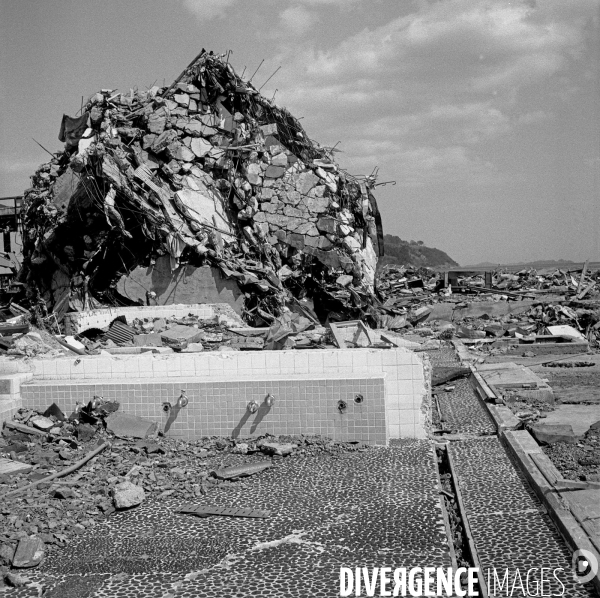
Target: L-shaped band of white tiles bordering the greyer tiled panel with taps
(407,382)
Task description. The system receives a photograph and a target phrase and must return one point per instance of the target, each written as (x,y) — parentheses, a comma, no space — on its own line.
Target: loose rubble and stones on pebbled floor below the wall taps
(130,470)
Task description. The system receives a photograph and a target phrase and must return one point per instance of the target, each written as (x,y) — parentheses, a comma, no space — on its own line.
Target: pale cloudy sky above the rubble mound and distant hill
(485,113)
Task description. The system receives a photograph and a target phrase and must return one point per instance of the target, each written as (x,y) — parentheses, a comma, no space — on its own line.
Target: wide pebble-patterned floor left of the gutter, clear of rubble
(375,508)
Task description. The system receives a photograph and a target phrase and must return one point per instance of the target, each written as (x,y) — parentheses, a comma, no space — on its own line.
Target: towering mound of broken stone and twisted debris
(208,172)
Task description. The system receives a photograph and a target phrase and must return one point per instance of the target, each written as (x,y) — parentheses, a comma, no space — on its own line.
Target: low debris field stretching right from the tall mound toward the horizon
(523,305)
